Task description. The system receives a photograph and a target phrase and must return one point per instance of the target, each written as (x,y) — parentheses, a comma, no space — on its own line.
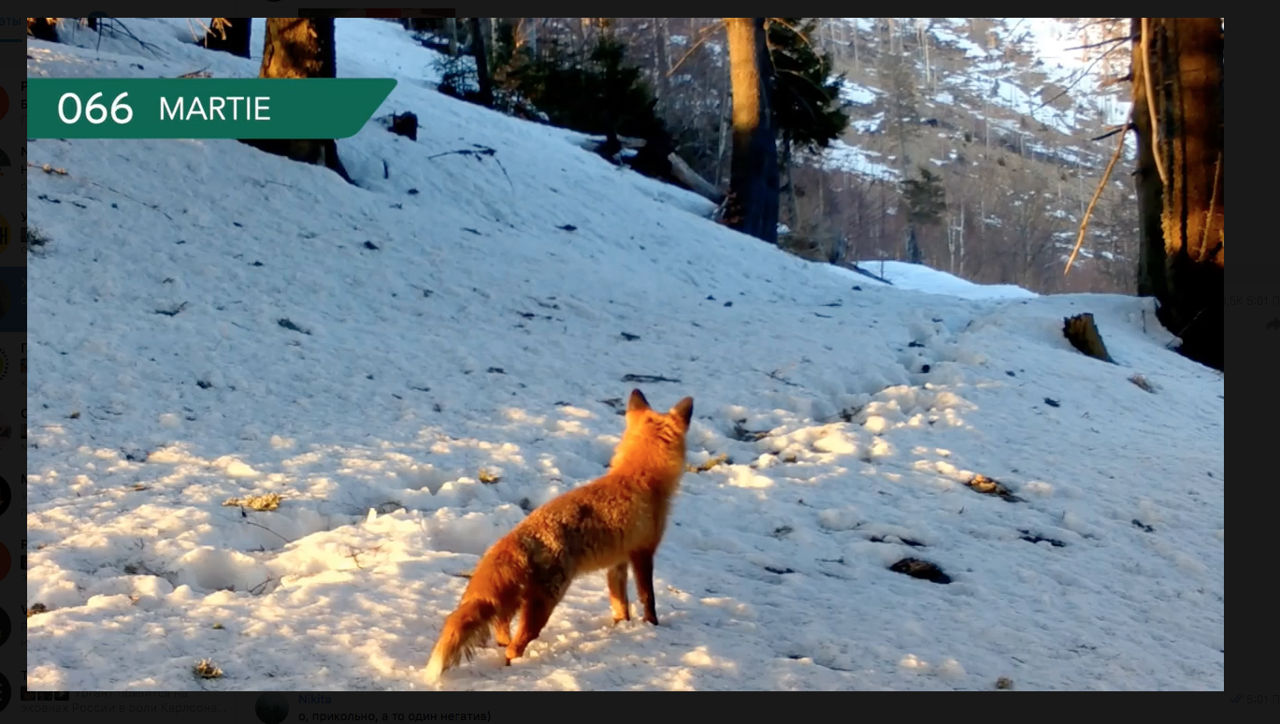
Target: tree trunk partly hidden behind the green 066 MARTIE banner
(301,48)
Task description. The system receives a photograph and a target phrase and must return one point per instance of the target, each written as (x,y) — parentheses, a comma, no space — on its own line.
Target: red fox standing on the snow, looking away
(606,524)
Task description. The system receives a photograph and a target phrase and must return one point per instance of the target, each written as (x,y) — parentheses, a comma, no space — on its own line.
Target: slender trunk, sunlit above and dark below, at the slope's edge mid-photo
(755,171)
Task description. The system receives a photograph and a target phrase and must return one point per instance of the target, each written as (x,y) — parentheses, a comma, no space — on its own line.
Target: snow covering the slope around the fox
(427,392)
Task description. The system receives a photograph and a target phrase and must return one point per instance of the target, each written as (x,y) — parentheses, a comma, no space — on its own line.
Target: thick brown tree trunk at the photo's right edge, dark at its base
(1182,216)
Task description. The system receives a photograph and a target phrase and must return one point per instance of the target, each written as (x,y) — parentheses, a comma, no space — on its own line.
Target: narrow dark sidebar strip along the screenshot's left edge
(13,358)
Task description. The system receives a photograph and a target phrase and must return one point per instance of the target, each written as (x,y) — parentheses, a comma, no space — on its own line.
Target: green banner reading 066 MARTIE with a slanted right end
(202,108)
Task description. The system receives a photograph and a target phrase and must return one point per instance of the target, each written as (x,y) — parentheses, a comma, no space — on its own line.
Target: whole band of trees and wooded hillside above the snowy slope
(968,145)
